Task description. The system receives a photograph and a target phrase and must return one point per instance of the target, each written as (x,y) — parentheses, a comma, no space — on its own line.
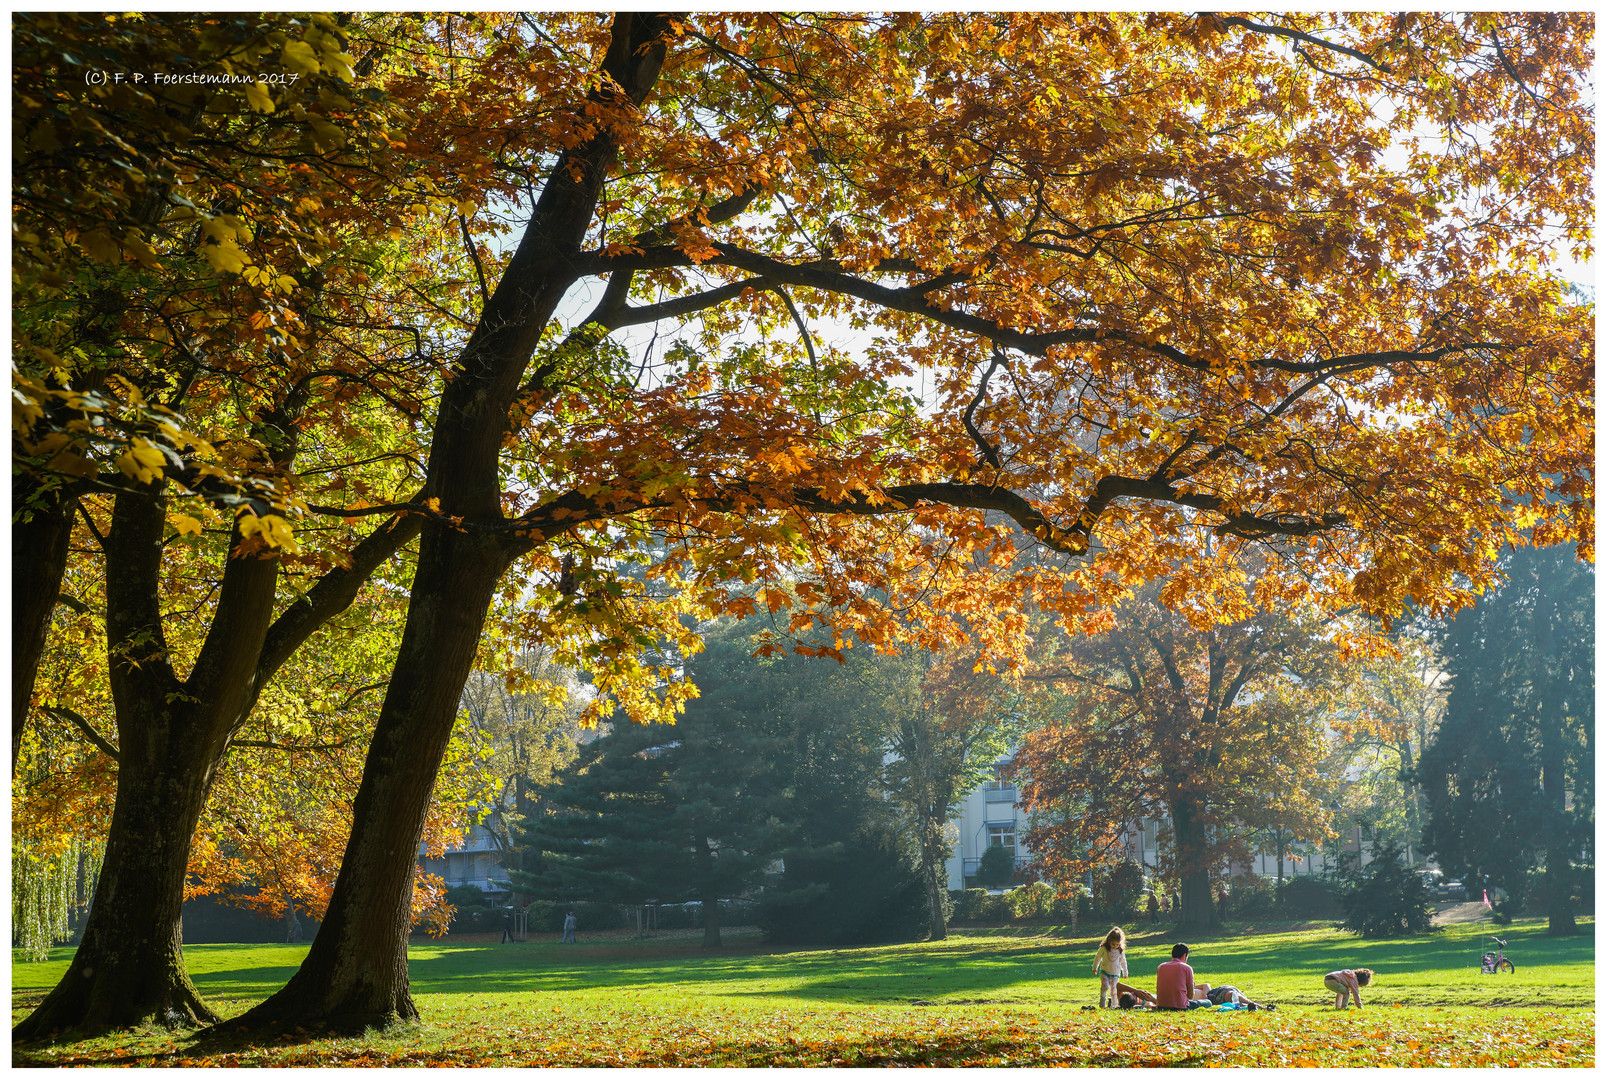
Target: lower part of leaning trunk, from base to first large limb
(356,973)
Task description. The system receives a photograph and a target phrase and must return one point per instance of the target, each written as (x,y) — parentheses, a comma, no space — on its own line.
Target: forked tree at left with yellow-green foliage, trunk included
(197,350)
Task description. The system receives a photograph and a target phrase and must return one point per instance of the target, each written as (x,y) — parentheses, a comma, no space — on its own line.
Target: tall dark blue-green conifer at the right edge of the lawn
(1511,772)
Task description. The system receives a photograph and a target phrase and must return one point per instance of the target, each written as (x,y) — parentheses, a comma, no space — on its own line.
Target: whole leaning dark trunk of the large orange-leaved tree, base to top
(356,973)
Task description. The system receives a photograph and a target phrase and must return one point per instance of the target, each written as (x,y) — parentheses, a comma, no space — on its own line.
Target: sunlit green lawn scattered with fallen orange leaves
(981,999)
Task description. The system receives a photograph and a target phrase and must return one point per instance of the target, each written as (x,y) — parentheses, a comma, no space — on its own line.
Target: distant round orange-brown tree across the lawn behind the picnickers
(1216,727)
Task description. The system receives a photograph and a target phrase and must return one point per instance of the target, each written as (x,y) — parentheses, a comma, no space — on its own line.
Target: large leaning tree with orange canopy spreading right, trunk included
(1156,274)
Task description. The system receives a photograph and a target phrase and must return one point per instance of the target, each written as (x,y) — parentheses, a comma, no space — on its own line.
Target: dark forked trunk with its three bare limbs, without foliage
(173,738)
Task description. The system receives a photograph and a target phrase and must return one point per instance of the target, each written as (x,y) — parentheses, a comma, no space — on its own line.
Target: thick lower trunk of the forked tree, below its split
(129,968)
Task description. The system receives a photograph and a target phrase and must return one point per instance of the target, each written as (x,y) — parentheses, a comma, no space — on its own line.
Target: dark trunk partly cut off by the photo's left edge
(41,530)
